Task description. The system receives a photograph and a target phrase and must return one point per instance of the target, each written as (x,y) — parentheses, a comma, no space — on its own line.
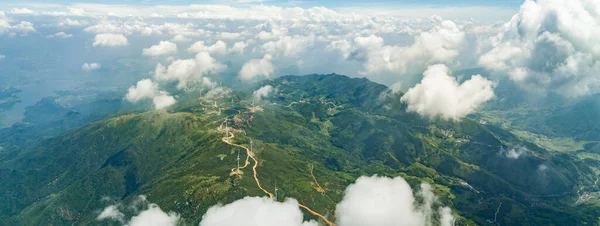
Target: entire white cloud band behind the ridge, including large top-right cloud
(548,45)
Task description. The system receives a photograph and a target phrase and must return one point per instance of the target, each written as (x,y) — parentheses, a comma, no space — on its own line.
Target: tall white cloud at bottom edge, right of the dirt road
(388,201)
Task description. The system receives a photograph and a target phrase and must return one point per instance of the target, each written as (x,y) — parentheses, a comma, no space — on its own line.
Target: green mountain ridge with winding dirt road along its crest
(331,127)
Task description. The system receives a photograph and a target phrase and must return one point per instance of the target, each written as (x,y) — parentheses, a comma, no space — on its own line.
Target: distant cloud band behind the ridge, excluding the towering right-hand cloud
(268,40)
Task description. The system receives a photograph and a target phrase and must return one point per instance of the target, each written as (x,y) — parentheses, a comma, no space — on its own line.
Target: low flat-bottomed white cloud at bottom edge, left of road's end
(256,211)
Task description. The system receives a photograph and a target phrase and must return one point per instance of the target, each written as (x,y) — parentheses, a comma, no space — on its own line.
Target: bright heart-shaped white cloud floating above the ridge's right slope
(439,94)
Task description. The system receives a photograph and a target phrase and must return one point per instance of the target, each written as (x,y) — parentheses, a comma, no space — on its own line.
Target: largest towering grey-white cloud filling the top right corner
(550,45)
